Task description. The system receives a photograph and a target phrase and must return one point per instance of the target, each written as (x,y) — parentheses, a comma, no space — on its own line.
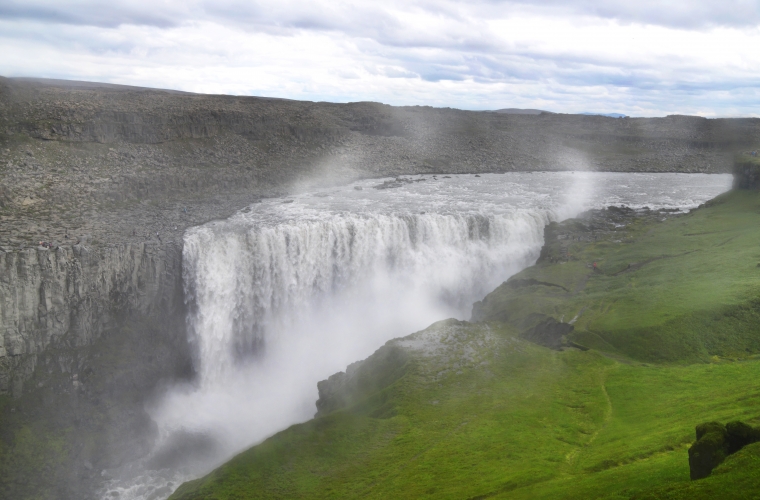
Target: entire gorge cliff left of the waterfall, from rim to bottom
(89,333)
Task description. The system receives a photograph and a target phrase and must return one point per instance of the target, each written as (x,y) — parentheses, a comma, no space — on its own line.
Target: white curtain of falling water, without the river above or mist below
(248,283)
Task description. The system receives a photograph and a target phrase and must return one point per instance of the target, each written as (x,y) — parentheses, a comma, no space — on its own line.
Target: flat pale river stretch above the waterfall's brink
(566,193)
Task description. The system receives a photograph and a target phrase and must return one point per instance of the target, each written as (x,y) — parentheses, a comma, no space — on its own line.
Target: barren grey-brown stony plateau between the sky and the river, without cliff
(113,164)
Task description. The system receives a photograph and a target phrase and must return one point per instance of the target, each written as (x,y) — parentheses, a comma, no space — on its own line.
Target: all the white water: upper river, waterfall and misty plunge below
(288,291)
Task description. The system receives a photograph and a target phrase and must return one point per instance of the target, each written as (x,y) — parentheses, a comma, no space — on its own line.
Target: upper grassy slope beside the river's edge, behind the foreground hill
(681,290)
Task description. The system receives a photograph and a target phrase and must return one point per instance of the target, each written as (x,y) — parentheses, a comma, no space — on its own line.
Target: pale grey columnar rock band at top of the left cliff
(70,295)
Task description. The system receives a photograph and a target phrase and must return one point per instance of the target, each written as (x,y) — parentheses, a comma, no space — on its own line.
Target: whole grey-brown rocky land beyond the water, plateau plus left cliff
(109,178)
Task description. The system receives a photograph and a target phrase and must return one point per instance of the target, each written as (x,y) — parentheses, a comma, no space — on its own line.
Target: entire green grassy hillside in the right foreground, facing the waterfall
(482,413)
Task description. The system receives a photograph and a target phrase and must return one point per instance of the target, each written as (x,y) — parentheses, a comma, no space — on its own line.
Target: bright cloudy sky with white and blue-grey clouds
(639,57)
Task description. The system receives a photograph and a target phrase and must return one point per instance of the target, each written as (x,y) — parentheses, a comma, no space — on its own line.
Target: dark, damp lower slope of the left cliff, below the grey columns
(82,412)
